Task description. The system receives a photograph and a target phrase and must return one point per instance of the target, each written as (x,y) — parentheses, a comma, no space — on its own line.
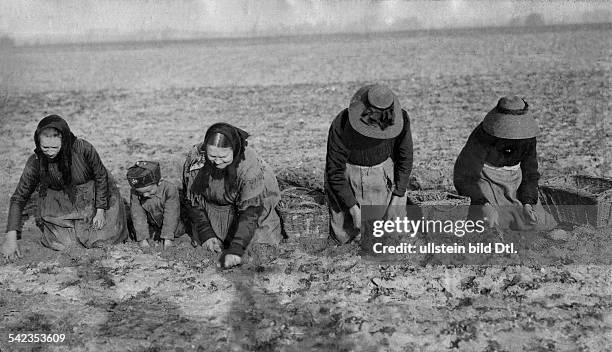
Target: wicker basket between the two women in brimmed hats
(437,205)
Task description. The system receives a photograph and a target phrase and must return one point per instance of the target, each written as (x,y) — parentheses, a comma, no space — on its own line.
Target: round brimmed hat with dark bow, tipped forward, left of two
(376,98)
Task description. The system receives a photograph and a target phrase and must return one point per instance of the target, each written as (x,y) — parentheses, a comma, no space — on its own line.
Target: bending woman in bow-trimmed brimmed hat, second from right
(369,158)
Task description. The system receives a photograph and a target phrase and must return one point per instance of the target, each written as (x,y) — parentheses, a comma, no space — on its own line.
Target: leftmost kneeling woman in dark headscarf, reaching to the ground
(78,201)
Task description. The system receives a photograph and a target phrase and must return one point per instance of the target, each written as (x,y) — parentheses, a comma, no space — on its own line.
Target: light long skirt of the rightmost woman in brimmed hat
(500,185)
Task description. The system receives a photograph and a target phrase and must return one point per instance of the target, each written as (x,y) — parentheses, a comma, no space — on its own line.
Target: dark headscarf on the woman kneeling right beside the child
(238,140)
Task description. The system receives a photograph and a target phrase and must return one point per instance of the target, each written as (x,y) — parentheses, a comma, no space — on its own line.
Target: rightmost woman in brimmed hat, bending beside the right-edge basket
(498,169)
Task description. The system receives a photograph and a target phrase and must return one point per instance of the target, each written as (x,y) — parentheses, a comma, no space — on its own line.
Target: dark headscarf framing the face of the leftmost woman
(64,158)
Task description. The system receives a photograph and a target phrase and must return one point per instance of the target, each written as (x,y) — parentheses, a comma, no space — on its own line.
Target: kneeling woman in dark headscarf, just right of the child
(231,194)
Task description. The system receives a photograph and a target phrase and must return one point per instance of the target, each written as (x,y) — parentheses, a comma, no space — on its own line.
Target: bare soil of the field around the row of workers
(155,102)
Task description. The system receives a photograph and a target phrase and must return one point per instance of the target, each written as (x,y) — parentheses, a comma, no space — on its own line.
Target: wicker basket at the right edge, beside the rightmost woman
(579,199)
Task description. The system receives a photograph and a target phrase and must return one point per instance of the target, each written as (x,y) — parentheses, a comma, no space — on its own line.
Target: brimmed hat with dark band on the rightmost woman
(511,119)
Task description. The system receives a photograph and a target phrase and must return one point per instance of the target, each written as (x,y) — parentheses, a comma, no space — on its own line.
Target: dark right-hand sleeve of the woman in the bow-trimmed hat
(403,158)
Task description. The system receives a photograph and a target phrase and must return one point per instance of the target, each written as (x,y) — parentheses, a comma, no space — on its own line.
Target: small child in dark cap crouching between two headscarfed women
(154,205)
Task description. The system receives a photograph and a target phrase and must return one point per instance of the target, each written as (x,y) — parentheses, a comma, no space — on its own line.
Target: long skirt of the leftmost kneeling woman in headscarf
(65,224)
